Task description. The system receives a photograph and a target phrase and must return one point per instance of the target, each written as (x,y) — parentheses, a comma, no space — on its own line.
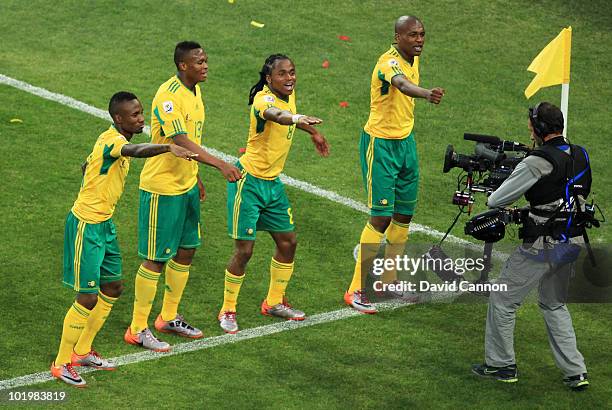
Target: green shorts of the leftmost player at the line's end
(91,254)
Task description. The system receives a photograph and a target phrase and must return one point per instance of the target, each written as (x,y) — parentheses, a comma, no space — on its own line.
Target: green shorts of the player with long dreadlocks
(255,204)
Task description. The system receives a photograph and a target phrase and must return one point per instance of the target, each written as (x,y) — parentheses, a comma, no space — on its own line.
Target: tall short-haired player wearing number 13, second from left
(170,195)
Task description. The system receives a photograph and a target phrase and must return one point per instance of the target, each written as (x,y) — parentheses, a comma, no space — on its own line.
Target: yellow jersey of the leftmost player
(104,178)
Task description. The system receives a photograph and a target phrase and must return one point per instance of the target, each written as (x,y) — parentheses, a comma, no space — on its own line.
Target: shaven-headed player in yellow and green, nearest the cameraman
(389,160)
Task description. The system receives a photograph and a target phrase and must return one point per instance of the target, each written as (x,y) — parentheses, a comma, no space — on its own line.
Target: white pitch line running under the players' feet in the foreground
(252,333)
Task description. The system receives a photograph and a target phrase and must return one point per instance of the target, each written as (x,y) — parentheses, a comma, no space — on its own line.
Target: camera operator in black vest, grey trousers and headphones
(546,176)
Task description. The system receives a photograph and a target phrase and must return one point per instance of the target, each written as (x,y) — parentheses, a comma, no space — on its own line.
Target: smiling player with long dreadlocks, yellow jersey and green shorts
(258,202)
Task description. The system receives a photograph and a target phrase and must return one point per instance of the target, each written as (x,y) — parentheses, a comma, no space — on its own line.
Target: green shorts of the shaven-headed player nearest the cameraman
(390,170)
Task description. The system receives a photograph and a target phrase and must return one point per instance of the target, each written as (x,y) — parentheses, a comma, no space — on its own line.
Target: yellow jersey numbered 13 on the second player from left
(175,110)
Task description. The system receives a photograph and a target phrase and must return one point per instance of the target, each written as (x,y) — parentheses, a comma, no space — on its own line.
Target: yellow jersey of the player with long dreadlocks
(268,143)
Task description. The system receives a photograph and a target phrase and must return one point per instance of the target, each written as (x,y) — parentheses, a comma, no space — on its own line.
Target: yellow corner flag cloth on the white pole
(552,64)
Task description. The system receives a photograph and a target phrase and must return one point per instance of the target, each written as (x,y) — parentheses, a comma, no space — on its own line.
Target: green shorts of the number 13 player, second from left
(168,222)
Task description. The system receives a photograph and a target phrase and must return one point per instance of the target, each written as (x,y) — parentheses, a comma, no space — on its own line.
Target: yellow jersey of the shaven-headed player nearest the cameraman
(391,111)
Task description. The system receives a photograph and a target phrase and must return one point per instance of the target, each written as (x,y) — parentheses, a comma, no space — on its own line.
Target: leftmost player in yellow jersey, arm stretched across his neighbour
(92,261)
